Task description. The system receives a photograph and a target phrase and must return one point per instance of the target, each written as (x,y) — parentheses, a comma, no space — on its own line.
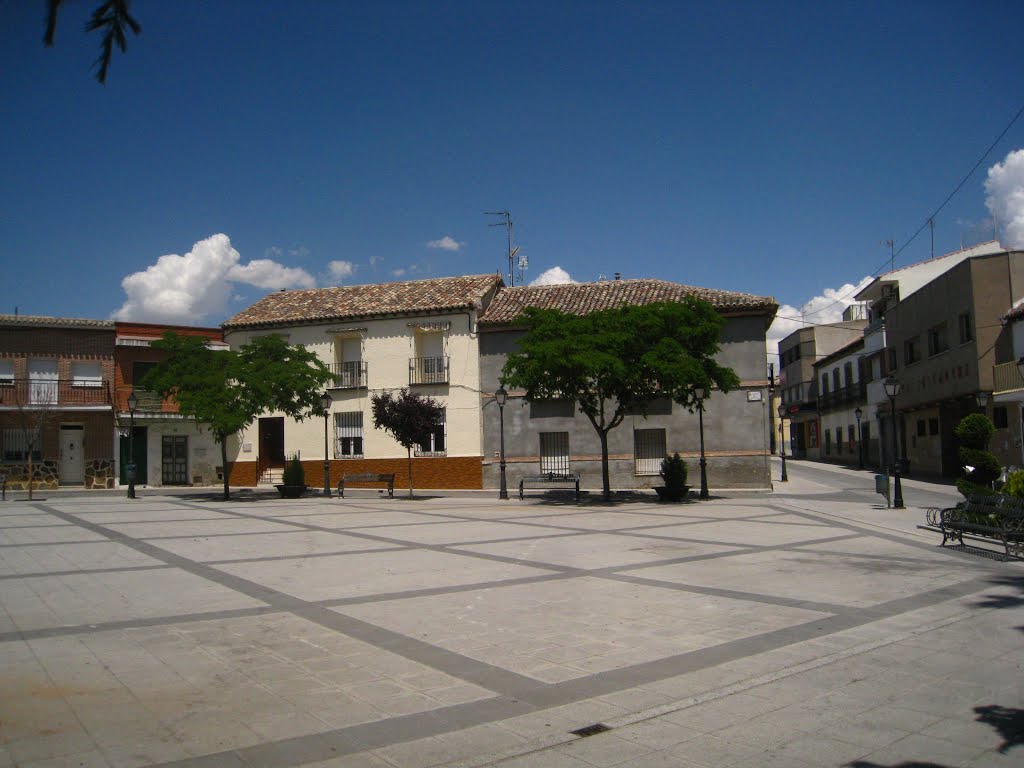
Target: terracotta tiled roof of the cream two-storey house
(350,303)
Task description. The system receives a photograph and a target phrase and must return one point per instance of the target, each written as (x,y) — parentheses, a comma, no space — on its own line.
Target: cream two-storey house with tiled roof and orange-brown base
(416,334)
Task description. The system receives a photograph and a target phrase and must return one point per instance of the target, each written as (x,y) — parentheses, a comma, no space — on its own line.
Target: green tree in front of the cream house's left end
(227,390)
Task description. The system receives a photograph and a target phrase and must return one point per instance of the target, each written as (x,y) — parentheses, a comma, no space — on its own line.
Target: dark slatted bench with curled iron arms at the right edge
(999,519)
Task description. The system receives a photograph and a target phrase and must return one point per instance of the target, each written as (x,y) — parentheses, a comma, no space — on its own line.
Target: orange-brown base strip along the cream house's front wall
(434,473)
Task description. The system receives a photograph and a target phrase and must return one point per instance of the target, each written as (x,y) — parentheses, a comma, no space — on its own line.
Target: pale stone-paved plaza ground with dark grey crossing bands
(806,627)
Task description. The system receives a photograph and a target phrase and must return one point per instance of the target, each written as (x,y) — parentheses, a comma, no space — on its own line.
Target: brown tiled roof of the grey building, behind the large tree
(582,298)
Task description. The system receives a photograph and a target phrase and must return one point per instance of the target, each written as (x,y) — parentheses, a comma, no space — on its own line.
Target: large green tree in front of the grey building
(616,362)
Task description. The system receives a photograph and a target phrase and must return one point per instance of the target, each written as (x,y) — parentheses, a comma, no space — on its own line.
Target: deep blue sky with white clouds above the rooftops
(763,148)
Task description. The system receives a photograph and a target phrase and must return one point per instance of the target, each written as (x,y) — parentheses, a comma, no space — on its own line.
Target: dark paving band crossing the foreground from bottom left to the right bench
(349,741)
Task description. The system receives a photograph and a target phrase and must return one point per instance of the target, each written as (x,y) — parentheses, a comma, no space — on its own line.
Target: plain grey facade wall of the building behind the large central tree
(736,424)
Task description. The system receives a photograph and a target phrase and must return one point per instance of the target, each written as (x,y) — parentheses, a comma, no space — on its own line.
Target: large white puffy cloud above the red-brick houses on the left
(197,287)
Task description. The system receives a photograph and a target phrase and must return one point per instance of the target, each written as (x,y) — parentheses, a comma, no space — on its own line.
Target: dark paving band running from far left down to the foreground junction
(460,667)
